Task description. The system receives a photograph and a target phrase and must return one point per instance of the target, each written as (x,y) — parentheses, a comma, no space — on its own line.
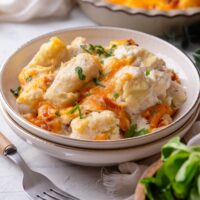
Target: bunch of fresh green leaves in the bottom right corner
(179,177)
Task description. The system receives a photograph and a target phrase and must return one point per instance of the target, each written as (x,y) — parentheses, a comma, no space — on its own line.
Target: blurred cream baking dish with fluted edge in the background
(151,21)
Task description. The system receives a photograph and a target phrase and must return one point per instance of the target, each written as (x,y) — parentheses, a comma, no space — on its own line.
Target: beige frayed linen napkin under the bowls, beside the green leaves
(121,184)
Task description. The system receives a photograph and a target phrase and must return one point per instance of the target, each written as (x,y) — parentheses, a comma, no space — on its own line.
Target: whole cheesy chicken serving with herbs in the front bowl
(87,91)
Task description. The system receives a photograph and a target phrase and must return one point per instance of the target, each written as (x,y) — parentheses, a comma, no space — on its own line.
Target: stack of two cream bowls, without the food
(101,153)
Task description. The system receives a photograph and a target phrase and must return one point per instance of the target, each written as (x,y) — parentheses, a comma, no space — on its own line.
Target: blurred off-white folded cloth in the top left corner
(24,10)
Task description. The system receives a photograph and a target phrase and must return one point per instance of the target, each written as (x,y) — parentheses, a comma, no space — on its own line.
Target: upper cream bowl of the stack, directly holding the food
(173,57)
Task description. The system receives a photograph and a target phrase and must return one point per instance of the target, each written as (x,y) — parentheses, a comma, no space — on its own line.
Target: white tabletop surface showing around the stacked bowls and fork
(80,181)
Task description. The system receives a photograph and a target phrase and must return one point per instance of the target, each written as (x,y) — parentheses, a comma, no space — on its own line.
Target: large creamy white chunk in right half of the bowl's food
(135,90)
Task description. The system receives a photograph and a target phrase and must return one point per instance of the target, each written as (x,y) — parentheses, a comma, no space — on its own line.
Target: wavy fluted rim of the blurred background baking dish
(140,11)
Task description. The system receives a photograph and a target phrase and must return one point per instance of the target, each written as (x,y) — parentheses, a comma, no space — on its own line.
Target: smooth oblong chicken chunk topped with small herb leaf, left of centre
(67,82)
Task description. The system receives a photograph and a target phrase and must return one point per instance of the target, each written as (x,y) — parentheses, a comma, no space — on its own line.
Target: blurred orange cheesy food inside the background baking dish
(158,4)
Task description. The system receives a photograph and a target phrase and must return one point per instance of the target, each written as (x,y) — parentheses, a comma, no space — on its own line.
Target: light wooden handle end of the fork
(6,147)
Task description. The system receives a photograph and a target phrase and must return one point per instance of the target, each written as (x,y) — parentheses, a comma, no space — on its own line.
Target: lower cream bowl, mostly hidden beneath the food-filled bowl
(92,157)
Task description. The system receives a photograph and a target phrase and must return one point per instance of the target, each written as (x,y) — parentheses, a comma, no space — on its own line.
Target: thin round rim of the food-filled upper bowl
(49,34)
